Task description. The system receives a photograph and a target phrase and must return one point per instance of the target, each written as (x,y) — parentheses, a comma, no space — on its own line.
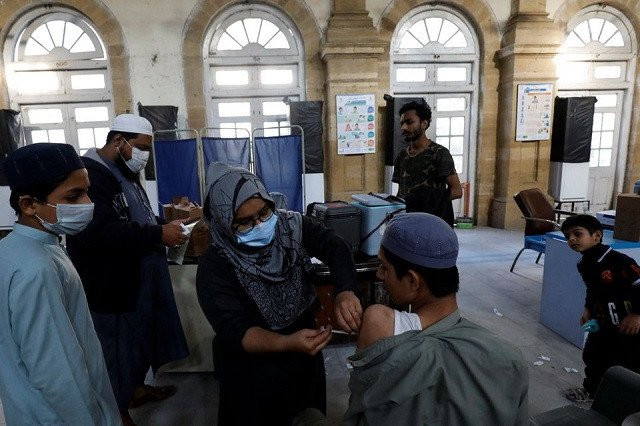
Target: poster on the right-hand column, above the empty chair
(534,112)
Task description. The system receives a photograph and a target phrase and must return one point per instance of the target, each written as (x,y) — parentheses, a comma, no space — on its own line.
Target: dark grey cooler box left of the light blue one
(343,218)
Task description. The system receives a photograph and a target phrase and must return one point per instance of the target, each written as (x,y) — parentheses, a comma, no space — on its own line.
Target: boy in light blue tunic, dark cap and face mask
(53,371)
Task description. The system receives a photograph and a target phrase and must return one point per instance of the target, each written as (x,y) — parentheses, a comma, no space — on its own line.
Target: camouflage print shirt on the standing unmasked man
(430,167)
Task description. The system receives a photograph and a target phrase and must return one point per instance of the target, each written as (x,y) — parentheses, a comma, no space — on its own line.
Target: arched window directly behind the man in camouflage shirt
(434,54)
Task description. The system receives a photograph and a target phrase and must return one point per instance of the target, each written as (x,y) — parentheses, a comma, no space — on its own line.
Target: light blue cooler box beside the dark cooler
(374,215)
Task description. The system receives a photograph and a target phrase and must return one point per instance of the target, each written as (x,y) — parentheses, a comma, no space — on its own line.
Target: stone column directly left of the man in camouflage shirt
(351,53)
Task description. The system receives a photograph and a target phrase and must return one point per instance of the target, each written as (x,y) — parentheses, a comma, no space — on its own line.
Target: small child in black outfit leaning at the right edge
(613,300)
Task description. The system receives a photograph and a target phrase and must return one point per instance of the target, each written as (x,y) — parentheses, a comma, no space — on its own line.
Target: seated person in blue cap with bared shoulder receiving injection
(429,365)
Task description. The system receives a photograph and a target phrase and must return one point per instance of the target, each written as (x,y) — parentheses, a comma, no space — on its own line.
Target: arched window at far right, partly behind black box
(598,59)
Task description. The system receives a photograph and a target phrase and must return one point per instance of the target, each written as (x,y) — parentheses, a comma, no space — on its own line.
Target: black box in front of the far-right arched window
(572,127)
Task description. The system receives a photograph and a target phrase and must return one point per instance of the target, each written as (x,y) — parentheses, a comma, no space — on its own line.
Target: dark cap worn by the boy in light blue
(39,163)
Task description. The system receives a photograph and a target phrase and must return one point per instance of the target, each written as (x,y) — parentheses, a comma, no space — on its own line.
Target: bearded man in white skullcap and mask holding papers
(121,259)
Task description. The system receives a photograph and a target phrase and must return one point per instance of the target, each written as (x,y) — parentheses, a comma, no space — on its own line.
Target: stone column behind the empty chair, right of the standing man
(529,46)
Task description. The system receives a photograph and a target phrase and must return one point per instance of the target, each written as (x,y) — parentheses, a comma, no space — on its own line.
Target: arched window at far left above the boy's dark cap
(58,78)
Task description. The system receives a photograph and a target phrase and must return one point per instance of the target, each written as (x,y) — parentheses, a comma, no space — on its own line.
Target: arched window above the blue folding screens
(253,60)
